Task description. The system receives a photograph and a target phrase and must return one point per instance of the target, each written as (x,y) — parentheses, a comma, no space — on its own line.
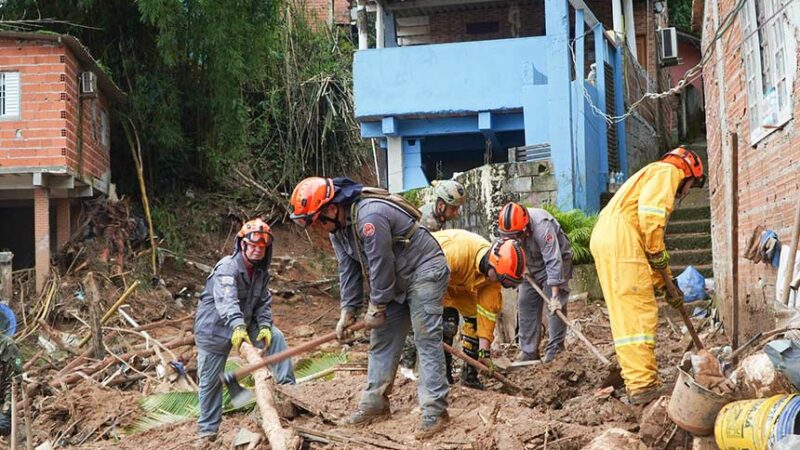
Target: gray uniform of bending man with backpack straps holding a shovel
(410,278)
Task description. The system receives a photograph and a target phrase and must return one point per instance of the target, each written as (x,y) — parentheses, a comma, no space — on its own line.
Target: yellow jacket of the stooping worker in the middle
(476,298)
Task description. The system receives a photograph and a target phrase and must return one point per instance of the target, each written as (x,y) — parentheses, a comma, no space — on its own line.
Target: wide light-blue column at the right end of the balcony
(559,99)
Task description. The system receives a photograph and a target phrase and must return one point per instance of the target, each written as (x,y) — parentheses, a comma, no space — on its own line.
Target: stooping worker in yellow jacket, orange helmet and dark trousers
(477,271)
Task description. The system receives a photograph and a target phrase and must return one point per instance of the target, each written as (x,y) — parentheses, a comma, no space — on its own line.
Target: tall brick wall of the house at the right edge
(768,185)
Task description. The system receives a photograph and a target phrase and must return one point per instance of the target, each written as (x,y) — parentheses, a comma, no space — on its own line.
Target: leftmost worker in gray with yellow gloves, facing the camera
(236,307)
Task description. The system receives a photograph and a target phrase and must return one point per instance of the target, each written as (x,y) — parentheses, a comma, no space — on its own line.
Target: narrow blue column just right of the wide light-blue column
(581,175)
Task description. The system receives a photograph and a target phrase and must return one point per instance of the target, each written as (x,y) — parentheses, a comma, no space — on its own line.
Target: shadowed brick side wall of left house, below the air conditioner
(93,159)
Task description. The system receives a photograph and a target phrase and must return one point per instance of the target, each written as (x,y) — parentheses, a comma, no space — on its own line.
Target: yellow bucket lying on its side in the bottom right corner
(750,424)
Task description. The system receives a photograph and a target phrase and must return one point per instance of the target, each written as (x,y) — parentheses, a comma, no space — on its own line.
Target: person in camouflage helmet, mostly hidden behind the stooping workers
(447,206)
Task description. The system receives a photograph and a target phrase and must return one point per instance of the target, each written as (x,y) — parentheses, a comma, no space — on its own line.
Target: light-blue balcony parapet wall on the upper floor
(444,78)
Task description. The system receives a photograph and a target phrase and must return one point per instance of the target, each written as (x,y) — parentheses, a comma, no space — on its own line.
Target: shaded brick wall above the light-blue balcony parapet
(452,26)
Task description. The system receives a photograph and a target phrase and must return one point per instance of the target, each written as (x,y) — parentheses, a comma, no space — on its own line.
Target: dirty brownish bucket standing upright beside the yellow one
(693,407)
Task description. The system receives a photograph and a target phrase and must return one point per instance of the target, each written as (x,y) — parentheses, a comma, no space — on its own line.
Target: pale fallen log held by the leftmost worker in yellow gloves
(279,438)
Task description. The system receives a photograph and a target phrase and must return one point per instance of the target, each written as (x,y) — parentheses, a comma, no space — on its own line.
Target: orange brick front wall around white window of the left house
(40,123)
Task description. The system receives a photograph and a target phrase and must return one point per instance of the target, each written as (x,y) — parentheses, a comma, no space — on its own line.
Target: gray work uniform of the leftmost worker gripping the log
(232,298)
